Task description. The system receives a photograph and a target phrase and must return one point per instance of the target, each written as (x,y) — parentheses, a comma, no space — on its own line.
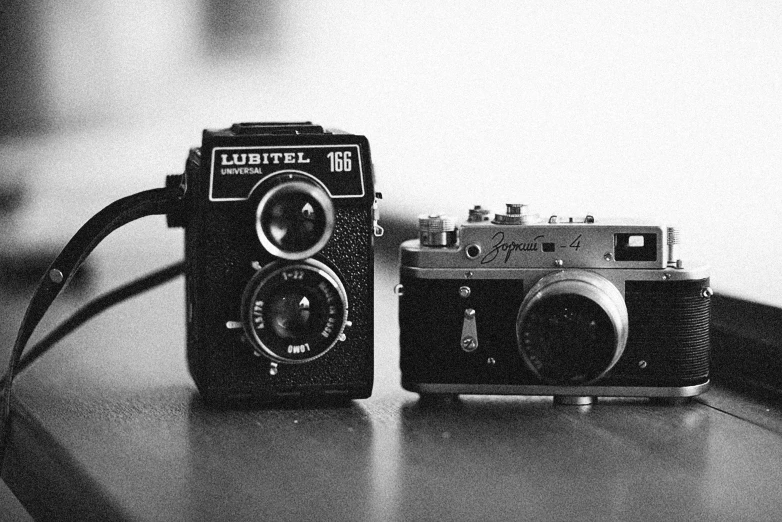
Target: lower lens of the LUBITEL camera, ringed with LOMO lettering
(294,312)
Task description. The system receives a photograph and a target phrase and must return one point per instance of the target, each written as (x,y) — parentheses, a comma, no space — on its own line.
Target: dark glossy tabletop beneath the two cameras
(110,425)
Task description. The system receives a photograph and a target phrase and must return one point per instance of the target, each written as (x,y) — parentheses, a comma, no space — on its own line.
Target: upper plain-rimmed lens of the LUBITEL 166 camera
(295,219)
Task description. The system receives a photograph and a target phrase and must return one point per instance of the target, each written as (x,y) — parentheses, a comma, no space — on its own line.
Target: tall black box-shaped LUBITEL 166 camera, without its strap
(279,223)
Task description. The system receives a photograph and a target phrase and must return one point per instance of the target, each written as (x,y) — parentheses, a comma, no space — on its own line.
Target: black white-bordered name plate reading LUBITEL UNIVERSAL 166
(236,171)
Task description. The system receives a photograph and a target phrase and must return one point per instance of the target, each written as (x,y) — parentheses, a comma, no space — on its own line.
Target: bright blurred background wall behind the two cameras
(664,109)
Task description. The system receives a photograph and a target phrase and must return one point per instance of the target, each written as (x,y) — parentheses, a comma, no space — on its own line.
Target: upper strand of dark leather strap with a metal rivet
(60,272)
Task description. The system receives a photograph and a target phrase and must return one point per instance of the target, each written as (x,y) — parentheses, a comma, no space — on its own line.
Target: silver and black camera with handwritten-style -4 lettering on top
(574,308)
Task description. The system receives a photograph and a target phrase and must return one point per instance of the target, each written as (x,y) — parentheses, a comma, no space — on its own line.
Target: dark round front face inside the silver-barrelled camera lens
(569,339)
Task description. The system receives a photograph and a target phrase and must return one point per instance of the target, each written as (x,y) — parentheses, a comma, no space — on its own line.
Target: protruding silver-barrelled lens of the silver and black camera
(572,327)
